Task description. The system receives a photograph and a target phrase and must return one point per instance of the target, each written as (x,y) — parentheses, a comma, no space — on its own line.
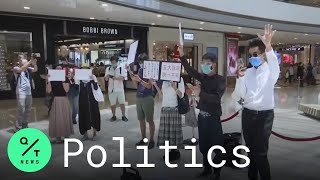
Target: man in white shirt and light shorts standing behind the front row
(115,76)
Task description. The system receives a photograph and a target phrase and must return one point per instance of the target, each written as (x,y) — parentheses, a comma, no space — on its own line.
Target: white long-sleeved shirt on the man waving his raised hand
(256,87)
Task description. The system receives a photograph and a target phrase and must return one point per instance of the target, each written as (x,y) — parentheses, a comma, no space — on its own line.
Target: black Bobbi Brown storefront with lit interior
(84,42)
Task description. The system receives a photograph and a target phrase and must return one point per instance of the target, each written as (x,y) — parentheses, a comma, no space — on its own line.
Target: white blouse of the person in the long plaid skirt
(169,95)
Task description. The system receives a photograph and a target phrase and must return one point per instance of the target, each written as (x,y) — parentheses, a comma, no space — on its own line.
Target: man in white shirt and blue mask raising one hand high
(255,87)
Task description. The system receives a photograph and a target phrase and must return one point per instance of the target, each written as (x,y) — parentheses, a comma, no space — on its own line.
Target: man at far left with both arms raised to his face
(23,90)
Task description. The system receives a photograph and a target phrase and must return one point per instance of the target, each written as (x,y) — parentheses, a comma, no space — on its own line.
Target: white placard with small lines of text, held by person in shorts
(151,70)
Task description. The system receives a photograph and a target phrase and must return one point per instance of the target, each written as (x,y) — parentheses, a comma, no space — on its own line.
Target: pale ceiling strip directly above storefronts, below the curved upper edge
(86,9)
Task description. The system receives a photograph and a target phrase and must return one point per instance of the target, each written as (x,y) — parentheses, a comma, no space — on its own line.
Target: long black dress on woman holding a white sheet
(89,113)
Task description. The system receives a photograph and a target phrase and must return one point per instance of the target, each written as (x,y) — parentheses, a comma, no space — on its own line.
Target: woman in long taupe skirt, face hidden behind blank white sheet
(60,119)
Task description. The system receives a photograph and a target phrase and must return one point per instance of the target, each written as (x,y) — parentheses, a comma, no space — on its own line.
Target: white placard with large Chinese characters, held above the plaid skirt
(170,71)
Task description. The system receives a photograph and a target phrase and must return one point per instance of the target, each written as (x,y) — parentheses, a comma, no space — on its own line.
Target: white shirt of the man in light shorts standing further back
(116,85)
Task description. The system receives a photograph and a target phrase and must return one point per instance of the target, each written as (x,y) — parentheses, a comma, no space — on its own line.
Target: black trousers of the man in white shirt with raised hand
(257,127)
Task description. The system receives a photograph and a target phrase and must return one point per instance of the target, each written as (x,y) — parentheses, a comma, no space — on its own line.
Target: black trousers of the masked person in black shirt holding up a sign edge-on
(210,134)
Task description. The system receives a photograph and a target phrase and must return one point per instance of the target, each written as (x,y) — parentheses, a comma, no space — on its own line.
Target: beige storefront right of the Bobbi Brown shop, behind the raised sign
(161,43)
